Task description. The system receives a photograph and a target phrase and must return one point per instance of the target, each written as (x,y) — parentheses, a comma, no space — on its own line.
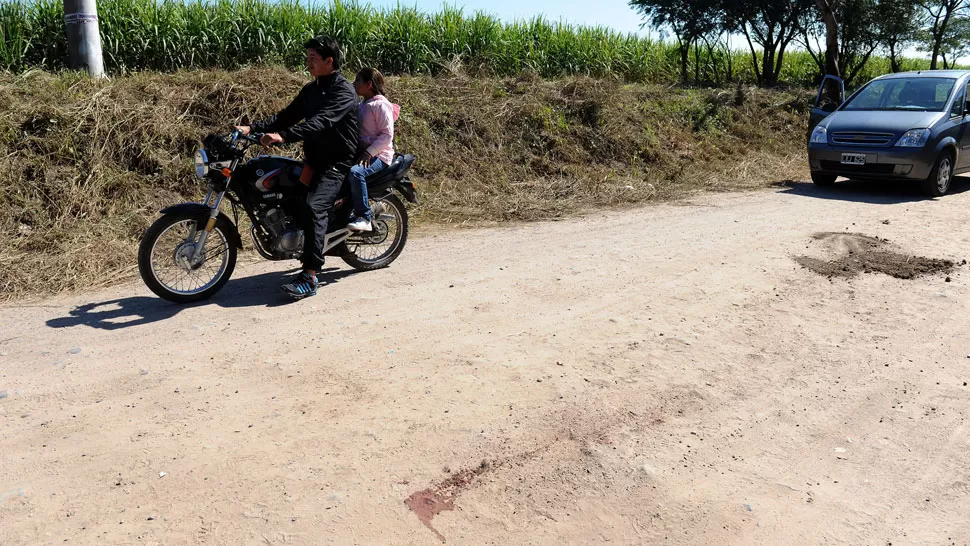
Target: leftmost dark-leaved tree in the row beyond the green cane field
(690,21)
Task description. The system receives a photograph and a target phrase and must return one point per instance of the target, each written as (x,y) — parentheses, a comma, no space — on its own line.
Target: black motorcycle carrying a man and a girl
(189,253)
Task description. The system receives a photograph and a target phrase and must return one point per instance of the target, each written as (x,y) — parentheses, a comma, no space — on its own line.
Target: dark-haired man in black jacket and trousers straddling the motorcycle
(324,117)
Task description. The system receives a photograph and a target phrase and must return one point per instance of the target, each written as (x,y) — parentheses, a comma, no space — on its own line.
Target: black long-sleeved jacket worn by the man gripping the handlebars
(324,117)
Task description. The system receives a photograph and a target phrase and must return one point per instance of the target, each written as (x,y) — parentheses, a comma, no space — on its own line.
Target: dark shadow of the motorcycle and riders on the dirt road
(256,291)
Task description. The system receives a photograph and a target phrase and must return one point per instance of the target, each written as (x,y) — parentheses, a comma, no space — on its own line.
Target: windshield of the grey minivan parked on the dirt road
(909,94)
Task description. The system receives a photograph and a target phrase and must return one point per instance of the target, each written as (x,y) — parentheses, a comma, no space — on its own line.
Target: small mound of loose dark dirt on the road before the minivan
(854,253)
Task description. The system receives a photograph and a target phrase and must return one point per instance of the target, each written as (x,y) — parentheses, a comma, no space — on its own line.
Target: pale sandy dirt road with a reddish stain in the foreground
(669,375)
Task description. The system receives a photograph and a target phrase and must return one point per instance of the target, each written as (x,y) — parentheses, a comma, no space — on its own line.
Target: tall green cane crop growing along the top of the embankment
(169,35)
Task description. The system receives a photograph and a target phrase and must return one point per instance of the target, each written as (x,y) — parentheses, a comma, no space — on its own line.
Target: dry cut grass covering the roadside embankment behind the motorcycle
(88,164)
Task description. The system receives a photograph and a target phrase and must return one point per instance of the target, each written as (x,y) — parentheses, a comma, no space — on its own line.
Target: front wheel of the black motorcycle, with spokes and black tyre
(172,269)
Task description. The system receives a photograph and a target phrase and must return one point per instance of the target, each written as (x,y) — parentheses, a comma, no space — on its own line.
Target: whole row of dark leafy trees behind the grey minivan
(842,36)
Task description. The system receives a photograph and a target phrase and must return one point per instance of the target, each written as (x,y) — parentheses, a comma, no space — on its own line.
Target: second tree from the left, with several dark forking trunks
(771,24)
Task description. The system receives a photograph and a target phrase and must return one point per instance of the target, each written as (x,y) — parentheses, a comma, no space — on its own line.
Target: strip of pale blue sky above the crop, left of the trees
(615,14)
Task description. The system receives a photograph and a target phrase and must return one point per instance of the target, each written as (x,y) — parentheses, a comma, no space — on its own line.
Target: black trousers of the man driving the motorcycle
(317,211)
